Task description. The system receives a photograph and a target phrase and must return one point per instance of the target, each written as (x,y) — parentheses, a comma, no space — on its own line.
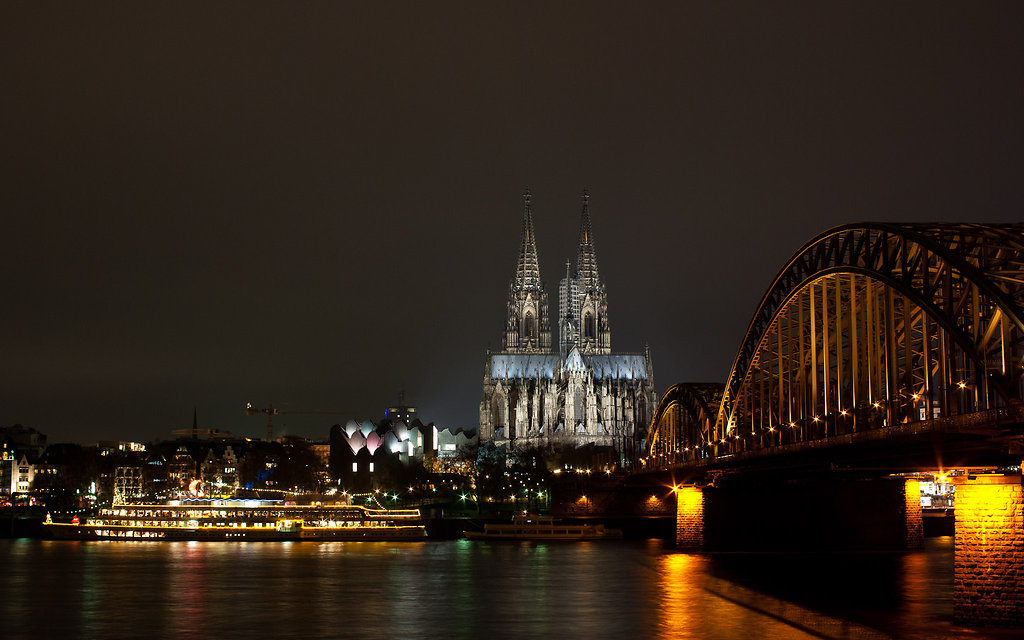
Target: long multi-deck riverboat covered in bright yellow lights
(243,521)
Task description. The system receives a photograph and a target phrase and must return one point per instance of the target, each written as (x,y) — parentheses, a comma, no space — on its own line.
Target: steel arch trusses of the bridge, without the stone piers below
(867,327)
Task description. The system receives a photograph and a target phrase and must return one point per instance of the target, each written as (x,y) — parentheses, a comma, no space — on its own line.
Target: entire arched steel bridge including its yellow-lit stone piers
(878,352)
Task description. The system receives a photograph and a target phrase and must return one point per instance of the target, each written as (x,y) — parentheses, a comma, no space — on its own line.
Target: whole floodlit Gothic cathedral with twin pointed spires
(540,392)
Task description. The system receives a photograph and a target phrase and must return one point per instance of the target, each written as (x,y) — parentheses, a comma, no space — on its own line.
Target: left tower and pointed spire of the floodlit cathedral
(528,328)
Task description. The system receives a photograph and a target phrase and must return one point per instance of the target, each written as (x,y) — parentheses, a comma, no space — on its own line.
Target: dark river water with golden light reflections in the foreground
(464,589)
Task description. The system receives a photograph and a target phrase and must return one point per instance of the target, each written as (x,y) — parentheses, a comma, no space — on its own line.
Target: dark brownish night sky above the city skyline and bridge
(317,203)
